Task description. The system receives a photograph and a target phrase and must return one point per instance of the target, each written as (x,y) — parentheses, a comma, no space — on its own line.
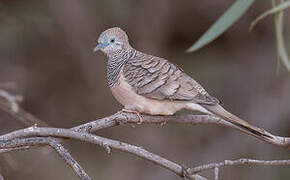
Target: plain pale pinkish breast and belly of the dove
(127,96)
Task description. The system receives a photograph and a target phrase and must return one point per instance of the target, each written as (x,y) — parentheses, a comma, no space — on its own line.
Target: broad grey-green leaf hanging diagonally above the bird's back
(222,24)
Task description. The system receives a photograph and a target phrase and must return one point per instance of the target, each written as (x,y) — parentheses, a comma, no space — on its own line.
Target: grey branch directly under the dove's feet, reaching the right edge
(121,118)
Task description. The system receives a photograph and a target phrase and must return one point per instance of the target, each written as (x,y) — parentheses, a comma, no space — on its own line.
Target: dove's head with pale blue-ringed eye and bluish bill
(112,40)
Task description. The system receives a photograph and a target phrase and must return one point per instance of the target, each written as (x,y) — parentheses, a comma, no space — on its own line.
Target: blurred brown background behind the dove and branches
(46,48)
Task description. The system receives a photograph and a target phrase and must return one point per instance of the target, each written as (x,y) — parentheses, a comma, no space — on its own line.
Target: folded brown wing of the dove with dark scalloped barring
(157,78)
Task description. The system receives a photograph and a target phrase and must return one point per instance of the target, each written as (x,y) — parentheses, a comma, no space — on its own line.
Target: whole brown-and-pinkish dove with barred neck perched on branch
(146,84)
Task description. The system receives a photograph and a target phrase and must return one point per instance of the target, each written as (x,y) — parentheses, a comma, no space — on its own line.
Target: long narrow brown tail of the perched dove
(219,111)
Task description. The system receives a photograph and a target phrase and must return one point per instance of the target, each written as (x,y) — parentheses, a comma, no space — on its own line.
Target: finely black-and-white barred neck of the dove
(116,61)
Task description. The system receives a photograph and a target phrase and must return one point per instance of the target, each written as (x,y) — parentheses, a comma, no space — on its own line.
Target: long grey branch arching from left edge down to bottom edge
(33,131)
